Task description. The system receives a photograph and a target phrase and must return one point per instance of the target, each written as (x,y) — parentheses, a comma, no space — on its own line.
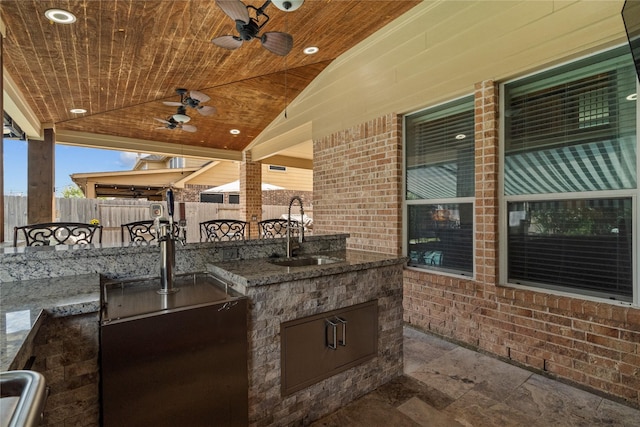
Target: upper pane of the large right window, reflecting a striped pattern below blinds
(572,129)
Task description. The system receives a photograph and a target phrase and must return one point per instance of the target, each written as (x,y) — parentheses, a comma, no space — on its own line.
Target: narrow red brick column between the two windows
(486,178)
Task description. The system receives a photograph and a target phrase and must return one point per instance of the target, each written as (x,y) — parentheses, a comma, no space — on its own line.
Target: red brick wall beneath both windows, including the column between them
(591,344)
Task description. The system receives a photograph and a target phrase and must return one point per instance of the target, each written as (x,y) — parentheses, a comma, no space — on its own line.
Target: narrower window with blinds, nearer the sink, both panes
(439,177)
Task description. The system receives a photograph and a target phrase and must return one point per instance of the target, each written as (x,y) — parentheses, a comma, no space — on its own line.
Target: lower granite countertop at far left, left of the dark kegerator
(23,304)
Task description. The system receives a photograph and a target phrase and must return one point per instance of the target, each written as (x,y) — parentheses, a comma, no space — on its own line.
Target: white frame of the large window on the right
(504,200)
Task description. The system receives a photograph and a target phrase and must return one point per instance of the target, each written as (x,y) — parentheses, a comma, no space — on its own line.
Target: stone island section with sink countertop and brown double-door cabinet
(354,302)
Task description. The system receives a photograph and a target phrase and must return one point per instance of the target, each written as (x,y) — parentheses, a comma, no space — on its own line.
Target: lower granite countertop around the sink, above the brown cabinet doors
(257,272)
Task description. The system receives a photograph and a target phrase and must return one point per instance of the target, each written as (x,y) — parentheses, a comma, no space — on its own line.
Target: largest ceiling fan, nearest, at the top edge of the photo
(248,28)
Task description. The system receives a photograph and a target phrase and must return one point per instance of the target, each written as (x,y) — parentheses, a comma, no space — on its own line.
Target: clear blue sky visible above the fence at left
(69,160)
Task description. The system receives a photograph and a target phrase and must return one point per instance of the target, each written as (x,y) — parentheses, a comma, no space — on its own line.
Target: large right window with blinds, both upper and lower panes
(570,177)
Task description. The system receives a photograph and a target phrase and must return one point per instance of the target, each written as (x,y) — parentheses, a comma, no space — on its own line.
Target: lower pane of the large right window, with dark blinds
(582,245)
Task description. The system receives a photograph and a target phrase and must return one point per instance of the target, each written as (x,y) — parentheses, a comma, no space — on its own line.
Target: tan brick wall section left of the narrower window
(357,185)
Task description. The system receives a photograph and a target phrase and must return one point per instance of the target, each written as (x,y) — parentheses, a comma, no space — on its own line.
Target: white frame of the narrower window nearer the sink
(471,200)
